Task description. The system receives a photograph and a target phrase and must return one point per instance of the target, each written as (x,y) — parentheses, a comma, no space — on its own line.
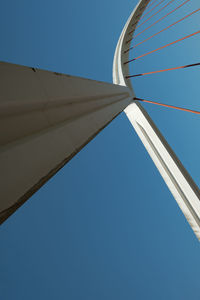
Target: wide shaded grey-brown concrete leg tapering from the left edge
(45,119)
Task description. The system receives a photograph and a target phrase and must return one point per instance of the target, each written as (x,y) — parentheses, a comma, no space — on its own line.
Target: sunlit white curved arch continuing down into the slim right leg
(180,183)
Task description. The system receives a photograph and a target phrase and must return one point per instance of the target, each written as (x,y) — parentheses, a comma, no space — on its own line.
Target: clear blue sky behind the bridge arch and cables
(105,227)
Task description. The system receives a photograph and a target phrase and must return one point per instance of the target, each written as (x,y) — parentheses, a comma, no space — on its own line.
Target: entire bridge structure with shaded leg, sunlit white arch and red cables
(48,117)
